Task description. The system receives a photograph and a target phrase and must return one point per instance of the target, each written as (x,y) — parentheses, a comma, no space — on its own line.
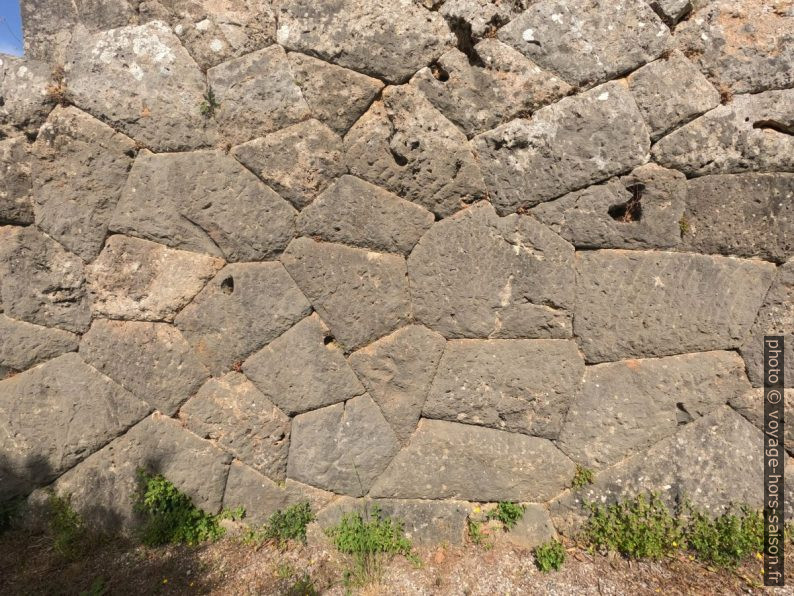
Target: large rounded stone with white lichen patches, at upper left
(140,80)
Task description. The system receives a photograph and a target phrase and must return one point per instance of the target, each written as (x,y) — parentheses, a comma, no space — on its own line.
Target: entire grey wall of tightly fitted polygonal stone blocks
(431,253)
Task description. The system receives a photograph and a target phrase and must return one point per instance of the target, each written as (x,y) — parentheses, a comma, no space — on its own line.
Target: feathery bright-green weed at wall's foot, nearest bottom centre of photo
(371,539)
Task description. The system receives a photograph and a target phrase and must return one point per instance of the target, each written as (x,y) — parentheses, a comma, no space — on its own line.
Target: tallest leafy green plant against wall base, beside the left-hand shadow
(171,517)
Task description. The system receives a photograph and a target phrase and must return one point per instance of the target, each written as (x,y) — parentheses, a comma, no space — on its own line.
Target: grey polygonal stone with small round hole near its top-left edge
(243,308)
